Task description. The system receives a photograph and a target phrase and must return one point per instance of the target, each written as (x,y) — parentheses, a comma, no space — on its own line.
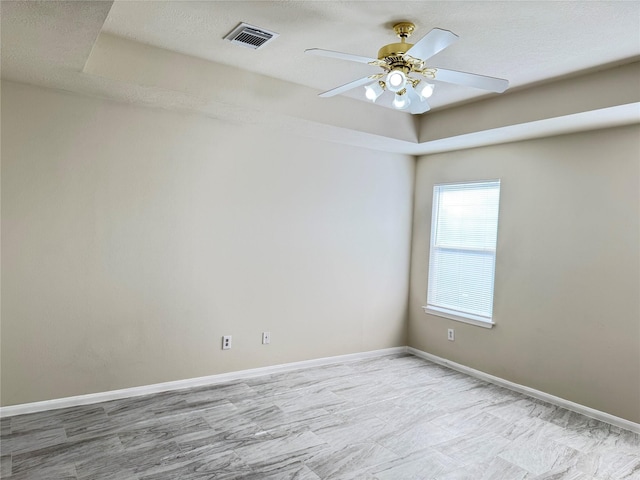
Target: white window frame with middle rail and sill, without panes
(440,311)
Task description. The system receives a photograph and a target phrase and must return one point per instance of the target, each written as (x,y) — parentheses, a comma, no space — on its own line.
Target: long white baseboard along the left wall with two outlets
(91,398)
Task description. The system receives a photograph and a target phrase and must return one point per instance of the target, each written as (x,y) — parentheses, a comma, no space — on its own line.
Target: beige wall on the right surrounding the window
(567,292)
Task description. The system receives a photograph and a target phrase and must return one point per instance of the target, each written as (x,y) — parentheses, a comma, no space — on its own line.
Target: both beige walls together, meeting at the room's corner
(134,238)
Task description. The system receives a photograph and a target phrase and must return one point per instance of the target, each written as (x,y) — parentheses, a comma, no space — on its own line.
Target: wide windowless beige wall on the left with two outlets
(133,239)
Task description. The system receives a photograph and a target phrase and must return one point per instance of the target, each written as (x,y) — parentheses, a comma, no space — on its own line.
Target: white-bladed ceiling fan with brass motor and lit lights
(406,73)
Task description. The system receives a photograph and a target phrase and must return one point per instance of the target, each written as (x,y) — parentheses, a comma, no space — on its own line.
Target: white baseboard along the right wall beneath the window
(560,402)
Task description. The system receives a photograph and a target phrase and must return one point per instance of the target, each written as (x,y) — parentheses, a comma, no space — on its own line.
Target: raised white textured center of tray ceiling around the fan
(524,42)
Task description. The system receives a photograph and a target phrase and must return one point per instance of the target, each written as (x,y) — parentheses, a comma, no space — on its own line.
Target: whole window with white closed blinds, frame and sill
(464,229)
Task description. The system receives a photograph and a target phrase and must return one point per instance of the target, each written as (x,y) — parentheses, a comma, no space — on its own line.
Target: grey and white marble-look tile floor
(395,417)
